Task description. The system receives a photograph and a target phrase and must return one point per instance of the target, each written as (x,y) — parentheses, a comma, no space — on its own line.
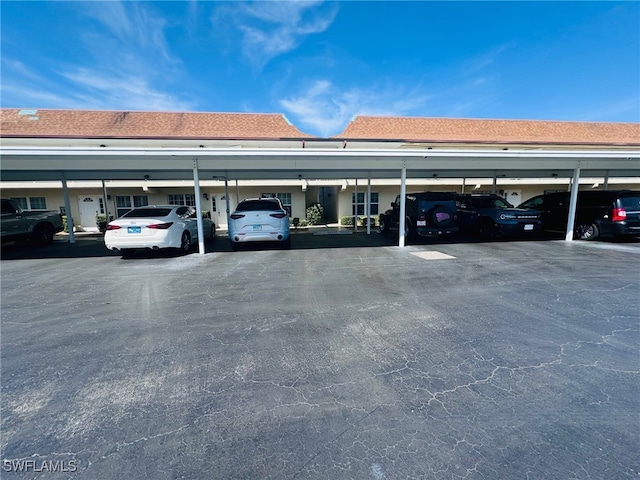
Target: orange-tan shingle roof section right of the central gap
(458,130)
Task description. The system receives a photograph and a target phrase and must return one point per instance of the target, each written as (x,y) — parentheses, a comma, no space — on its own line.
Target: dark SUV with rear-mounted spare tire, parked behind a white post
(427,214)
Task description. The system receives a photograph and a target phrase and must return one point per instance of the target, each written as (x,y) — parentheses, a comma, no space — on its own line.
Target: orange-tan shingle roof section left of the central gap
(123,124)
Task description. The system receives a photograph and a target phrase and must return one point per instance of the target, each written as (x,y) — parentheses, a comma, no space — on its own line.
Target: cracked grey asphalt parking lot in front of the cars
(502,360)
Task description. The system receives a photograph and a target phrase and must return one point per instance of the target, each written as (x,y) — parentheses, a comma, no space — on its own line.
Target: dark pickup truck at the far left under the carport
(17,224)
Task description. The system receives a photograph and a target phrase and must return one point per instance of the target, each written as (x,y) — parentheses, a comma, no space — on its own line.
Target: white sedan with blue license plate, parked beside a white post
(155,227)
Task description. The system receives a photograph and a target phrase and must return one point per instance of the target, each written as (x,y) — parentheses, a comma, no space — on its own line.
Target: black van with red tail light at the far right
(598,212)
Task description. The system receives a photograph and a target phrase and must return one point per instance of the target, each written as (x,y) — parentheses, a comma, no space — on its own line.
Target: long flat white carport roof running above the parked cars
(33,163)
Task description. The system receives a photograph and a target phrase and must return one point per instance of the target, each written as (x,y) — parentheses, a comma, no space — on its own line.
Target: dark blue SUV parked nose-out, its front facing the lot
(491,215)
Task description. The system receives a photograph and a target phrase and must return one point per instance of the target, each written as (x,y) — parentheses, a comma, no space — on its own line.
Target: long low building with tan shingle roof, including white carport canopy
(115,160)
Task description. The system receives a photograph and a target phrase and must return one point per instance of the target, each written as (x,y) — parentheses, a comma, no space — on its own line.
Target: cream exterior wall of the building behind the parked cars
(300,199)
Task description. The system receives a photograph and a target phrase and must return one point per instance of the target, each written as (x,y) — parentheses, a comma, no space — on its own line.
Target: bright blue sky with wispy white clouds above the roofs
(321,63)
